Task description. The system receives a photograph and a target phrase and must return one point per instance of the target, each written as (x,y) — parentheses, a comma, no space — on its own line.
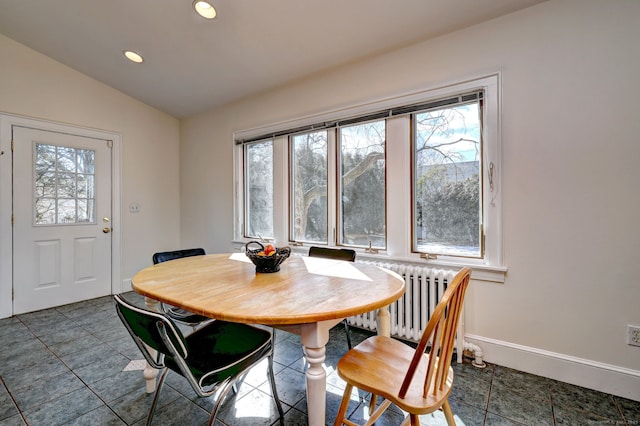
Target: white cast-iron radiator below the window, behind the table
(410,314)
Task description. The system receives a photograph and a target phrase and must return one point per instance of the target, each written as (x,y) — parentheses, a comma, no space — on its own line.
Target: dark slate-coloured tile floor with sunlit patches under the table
(72,365)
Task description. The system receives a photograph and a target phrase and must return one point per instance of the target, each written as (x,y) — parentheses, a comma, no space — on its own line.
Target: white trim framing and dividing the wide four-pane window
(490,268)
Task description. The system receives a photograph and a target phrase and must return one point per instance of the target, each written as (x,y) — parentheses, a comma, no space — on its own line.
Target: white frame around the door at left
(7,121)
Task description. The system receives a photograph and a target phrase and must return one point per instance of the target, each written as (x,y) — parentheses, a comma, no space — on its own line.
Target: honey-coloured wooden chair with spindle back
(386,367)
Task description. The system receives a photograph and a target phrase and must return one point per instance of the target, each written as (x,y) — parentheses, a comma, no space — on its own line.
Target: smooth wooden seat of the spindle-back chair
(379,365)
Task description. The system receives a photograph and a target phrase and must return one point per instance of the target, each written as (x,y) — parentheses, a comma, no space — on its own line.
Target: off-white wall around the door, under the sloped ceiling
(34,85)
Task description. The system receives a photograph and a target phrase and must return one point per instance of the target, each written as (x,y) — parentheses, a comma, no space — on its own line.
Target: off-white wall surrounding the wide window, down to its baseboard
(570,129)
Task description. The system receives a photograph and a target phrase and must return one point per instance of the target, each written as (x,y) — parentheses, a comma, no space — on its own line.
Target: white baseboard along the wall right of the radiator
(619,381)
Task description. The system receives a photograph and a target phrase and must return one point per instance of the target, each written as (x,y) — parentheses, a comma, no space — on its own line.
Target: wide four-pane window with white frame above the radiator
(412,176)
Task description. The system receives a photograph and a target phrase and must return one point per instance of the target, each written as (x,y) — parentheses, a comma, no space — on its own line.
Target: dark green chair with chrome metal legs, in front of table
(212,358)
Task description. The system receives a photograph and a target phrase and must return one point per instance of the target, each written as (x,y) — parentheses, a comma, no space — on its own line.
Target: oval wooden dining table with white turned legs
(308,296)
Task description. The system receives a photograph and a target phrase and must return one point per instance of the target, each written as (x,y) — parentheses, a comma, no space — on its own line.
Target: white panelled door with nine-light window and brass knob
(62,218)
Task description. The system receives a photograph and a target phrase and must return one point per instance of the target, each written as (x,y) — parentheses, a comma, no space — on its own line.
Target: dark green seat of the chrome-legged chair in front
(222,349)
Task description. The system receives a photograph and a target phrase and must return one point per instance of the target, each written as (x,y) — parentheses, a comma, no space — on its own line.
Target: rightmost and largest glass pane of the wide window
(447,184)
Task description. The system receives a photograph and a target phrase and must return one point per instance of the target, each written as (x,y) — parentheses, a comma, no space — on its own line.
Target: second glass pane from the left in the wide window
(309,187)
